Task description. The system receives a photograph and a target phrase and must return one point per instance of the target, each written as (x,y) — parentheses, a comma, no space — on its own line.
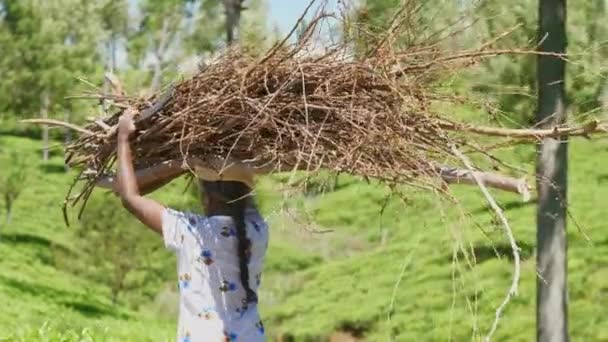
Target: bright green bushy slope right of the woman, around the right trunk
(412,287)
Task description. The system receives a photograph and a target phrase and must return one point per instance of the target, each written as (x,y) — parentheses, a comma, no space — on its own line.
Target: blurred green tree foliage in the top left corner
(44,47)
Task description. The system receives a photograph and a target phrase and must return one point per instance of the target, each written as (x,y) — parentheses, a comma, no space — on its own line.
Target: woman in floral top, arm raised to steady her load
(219,255)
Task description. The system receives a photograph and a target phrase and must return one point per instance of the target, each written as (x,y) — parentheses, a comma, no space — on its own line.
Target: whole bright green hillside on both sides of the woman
(382,275)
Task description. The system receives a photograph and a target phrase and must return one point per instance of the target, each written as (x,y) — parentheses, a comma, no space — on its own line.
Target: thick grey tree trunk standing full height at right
(552,167)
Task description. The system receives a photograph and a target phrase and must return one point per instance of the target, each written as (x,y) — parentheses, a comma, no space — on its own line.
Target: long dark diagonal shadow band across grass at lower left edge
(86,307)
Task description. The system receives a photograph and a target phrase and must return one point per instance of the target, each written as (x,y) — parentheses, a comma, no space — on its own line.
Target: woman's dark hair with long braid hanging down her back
(236,197)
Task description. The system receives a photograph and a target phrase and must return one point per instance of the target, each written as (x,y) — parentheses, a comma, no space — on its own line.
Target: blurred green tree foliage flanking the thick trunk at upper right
(511,79)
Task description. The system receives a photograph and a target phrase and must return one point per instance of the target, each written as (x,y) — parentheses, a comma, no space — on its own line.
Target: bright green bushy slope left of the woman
(44,274)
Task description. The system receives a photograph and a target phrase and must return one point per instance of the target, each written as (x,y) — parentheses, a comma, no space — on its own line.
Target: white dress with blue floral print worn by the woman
(212,299)
